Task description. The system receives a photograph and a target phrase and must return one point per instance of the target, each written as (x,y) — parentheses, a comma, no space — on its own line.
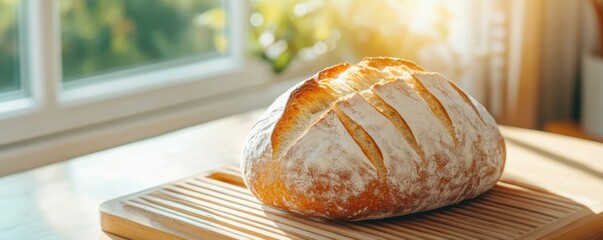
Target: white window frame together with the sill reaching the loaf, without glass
(51,124)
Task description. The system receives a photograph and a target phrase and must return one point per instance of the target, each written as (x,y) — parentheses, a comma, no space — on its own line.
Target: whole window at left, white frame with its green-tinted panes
(92,61)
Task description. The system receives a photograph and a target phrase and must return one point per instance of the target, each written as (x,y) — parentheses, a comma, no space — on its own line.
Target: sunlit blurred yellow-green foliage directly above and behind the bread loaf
(282,31)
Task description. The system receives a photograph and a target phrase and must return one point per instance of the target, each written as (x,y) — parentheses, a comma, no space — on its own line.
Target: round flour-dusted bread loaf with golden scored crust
(377,139)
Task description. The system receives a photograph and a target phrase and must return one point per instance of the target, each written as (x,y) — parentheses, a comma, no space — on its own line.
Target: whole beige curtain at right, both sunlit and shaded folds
(540,83)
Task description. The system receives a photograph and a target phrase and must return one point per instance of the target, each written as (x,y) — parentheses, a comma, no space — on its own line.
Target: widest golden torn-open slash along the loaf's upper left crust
(309,101)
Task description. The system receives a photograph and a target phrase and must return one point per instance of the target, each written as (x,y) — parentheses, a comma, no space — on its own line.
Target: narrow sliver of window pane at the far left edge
(9,46)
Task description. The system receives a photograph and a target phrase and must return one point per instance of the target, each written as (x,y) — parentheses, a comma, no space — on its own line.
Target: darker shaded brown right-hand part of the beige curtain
(559,88)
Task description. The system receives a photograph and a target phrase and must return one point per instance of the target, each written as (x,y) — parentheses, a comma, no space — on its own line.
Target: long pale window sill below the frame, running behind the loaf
(69,144)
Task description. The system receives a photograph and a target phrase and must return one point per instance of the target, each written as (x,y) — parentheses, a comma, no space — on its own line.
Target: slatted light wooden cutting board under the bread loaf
(218,206)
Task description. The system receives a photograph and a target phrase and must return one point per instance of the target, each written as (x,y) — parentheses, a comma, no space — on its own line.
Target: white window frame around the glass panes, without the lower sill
(49,109)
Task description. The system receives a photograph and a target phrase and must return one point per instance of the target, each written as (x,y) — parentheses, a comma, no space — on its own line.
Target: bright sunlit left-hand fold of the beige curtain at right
(523,73)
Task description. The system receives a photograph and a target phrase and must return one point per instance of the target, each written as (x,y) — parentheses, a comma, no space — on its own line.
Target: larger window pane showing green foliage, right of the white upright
(101,36)
